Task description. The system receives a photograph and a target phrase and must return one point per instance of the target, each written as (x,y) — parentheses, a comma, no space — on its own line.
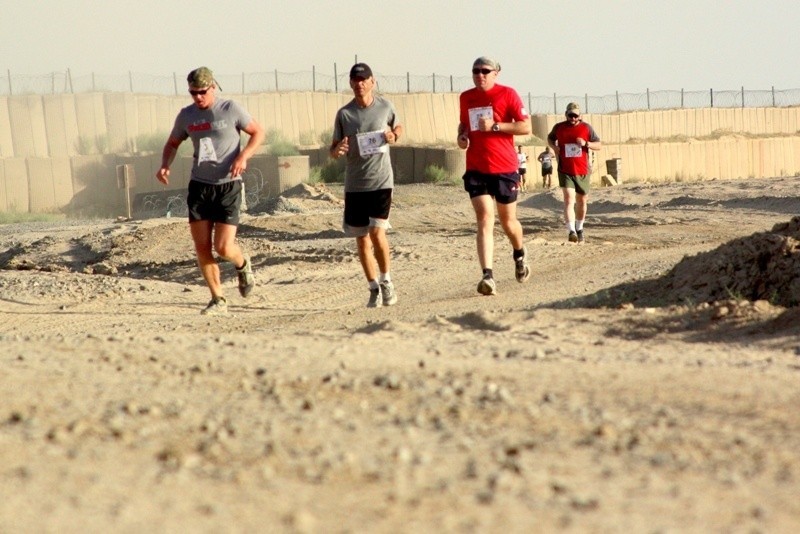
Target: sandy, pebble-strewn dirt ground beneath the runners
(645,381)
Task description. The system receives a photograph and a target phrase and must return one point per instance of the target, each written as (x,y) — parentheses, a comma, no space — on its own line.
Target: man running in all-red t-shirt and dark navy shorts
(490,116)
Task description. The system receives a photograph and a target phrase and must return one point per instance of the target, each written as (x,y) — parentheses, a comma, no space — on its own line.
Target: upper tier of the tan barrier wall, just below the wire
(67,125)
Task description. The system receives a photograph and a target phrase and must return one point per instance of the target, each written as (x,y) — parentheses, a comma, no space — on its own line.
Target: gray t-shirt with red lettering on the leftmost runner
(215,136)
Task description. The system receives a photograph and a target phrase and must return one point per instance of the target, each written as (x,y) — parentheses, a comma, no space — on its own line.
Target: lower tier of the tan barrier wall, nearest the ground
(88,184)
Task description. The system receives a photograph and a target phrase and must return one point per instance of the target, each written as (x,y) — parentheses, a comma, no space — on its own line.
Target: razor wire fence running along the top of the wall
(275,81)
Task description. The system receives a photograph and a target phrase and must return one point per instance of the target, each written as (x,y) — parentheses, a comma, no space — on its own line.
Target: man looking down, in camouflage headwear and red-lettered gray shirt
(215,188)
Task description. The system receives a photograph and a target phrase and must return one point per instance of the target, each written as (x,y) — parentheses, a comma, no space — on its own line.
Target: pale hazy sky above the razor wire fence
(545,47)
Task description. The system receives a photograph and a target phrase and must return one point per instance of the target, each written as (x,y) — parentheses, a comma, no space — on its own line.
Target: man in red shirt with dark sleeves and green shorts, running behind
(572,139)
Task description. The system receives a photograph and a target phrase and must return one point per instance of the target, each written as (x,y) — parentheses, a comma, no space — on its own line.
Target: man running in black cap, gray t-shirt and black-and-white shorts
(362,131)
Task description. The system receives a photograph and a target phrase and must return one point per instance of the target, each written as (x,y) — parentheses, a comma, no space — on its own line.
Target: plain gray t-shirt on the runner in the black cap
(369,167)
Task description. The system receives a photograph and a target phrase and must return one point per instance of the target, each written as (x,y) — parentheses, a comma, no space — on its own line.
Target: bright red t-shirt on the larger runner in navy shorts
(491,152)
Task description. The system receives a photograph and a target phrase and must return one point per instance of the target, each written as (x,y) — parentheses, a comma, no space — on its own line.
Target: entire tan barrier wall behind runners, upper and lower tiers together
(42,139)
